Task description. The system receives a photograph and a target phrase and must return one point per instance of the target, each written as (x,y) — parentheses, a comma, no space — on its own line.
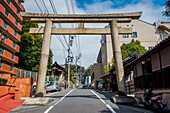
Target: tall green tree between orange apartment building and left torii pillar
(30,48)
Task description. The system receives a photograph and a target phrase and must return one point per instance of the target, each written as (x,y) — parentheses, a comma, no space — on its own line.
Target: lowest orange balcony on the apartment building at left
(8,69)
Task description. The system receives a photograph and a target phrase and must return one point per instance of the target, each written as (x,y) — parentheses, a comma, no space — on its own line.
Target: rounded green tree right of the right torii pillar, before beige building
(133,46)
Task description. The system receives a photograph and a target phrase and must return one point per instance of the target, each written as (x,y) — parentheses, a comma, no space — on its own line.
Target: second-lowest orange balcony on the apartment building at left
(9,56)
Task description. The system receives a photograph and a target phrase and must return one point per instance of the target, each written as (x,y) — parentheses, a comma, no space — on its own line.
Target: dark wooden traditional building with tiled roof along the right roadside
(151,70)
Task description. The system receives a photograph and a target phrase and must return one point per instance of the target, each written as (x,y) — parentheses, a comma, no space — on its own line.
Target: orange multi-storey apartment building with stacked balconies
(10,25)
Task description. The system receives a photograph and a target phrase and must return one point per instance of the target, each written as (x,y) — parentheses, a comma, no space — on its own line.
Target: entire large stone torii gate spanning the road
(48,30)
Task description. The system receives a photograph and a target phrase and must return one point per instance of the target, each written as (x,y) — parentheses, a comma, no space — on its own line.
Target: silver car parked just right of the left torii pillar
(52,86)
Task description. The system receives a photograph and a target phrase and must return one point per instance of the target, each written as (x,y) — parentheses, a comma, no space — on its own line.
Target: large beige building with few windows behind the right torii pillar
(148,34)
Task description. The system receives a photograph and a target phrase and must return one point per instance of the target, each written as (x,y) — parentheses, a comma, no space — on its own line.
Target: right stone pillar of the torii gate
(117,57)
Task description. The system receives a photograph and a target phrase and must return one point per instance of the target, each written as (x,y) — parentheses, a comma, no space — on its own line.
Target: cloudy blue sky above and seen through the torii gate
(90,45)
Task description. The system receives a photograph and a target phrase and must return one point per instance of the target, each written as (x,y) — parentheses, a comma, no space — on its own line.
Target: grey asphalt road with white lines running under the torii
(82,101)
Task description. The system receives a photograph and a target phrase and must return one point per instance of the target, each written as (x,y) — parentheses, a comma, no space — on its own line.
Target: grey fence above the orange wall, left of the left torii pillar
(21,73)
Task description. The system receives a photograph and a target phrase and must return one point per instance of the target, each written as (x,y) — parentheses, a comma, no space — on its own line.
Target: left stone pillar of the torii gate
(44,59)
